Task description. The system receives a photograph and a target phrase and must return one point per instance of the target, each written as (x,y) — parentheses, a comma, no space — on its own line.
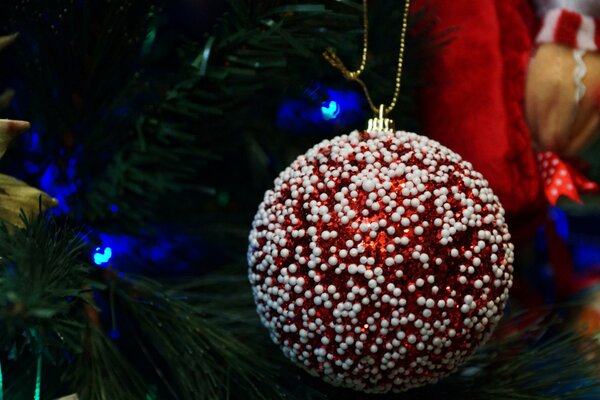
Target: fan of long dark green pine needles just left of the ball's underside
(192,356)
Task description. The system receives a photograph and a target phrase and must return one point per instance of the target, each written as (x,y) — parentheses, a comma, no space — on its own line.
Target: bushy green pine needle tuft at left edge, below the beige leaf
(43,285)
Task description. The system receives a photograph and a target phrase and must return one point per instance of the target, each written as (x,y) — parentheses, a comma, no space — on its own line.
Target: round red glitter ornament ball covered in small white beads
(380,261)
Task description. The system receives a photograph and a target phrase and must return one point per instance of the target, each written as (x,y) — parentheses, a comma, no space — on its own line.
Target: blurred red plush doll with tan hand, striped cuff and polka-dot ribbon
(515,79)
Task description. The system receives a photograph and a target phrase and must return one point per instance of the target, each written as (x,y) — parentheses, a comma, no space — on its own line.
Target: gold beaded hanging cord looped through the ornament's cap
(336,62)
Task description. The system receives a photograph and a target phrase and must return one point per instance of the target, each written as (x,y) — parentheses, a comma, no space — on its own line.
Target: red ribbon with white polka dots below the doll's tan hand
(562,179)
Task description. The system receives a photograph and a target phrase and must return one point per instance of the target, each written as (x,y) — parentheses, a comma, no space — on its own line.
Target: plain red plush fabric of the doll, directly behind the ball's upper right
(474,99)
